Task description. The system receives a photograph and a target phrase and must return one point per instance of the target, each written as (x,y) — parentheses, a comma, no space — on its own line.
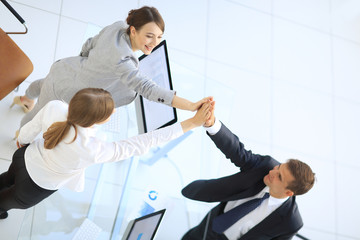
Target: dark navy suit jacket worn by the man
(283,223)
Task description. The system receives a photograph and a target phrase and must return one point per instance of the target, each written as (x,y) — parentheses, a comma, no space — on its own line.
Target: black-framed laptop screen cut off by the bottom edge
(144,228)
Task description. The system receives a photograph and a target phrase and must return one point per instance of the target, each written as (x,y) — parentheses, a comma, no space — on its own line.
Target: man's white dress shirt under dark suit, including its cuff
(250,220)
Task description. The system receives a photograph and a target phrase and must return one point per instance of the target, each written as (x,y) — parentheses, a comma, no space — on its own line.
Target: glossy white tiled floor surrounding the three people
(284,74)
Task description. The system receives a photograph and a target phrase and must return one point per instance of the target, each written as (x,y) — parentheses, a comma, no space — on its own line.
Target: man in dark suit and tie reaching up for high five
(258,202)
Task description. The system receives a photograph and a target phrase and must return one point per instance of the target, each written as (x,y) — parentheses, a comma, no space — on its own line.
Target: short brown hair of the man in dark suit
(304,177)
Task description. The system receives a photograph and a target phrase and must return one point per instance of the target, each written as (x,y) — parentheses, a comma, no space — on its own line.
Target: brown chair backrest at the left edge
(15,66)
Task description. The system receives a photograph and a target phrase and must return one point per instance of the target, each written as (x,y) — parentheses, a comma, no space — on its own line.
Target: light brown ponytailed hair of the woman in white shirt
(88,107)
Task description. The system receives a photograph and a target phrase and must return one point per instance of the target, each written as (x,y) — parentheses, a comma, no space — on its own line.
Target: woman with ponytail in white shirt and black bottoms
(69,146)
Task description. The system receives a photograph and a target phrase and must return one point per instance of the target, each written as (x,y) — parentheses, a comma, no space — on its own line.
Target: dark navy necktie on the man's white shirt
(226,220)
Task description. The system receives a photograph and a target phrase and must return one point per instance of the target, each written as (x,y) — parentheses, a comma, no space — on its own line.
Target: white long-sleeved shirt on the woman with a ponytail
(64,165)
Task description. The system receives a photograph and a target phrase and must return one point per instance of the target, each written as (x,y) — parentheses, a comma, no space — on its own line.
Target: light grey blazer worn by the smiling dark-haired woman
(106,61)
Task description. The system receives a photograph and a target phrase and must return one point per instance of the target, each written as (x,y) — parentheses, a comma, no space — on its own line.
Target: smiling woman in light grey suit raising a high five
(107,61)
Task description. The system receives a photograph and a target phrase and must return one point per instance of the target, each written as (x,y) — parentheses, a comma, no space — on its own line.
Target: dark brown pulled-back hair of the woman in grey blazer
(139,17)
